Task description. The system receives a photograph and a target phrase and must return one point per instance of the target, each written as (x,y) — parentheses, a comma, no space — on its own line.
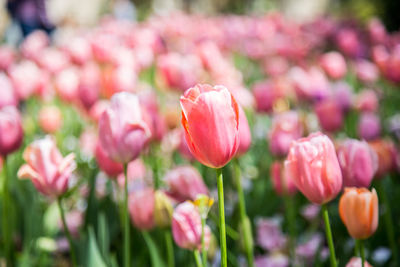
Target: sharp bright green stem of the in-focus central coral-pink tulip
(221,208)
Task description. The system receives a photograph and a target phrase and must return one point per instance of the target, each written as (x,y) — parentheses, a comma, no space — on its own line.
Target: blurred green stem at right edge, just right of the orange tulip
(388,220)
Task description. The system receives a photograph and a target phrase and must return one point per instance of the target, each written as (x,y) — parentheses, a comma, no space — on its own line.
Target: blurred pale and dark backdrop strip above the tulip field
(53,13)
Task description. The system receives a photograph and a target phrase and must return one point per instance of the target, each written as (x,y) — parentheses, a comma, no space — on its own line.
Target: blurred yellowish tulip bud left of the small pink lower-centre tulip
(162,209)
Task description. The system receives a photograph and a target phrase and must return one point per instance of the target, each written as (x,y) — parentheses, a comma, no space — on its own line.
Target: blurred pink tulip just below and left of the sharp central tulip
(185,183)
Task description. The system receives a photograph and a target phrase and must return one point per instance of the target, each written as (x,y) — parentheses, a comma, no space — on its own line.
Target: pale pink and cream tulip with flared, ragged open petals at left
(47,168)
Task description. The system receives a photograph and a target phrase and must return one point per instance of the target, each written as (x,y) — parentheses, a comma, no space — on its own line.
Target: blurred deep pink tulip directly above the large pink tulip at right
(329,114)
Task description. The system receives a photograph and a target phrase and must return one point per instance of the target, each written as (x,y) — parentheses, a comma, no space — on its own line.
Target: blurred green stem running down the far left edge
(6,226)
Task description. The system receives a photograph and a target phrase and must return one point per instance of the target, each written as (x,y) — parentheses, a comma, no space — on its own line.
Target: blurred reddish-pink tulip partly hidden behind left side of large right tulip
(282,184)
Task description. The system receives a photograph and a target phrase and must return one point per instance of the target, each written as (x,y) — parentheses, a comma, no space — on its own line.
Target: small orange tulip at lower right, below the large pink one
(358,209)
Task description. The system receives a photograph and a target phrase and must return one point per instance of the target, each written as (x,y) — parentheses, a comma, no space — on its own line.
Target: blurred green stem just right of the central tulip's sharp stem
(246,226)
